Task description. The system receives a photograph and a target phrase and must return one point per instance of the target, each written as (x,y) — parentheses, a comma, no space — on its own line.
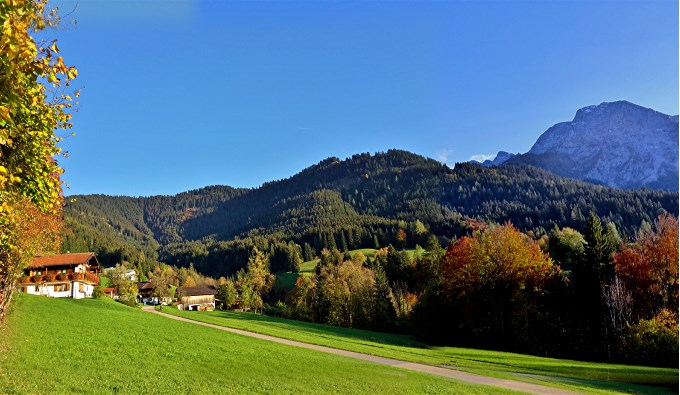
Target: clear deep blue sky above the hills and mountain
(182,94)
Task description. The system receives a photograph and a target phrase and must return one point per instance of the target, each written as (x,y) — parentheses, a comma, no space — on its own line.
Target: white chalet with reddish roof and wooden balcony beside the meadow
(61,276)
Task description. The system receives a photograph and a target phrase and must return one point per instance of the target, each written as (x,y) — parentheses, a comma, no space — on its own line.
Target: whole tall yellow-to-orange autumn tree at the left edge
(33,106)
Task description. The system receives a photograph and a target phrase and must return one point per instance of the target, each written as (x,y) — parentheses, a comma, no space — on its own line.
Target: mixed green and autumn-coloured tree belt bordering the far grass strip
(567,294)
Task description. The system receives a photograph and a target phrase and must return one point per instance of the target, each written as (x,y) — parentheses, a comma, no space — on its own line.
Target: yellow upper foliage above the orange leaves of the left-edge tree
(30,110)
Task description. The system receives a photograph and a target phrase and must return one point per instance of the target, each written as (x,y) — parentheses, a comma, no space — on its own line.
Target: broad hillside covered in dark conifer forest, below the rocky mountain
(362,201)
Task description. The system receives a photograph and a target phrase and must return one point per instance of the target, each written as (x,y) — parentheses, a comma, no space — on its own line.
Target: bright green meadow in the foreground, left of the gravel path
(99,346)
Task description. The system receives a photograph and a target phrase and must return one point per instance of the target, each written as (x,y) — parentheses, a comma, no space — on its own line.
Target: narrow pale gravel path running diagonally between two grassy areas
(439,371)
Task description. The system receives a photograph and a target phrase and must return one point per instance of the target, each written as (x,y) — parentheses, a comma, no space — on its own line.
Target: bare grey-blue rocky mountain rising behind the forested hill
(618,144)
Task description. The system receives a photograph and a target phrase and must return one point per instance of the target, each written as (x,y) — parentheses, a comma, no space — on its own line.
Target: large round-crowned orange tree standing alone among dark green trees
(491,280)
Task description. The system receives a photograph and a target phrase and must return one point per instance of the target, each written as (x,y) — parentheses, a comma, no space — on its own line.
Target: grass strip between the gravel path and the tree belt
(576,375)
